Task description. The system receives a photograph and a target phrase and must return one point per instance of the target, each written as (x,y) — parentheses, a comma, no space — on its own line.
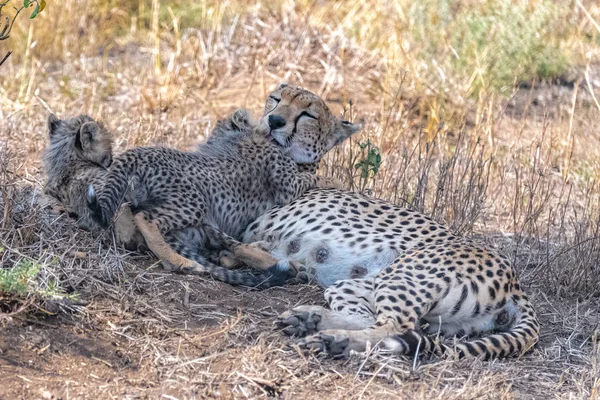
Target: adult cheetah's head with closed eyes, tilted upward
(300,122)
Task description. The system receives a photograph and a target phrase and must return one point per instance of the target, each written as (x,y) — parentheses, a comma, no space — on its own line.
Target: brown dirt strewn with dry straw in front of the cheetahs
(152,334)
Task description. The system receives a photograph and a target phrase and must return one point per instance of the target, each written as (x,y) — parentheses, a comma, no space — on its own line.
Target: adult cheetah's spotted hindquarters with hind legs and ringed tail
(429,293)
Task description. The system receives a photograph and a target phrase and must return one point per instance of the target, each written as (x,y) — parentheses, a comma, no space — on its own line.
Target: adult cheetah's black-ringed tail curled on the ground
(520,339)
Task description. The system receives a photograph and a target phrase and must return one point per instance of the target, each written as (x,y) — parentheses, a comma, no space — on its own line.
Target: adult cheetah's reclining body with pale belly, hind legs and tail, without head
(412,275)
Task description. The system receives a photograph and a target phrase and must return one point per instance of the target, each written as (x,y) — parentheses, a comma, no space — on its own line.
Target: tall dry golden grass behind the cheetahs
(485,113)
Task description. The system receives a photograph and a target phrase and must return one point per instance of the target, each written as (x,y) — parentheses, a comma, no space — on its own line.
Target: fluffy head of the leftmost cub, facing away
(80,136)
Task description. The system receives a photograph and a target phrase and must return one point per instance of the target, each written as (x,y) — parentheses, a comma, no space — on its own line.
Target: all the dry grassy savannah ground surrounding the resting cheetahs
(485,115)
